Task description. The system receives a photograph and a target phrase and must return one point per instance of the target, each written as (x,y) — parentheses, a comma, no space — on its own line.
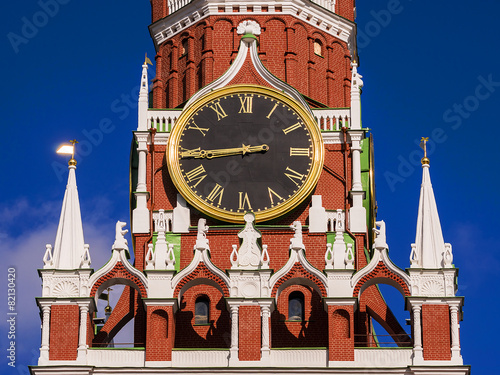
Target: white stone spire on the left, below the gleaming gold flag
(69,250)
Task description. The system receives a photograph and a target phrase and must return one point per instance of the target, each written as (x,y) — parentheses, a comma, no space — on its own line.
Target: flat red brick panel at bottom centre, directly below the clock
(249,325)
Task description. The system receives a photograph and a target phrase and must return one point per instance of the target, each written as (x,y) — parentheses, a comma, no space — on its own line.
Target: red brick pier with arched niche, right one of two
(341,333)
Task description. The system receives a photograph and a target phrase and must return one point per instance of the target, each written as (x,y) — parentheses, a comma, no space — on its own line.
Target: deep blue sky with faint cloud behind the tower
(430,68)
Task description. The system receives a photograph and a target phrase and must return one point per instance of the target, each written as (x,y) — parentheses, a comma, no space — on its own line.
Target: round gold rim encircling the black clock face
(172,156)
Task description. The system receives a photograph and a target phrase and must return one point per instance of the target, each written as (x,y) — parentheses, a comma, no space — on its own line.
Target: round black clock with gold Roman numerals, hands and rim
(245,148)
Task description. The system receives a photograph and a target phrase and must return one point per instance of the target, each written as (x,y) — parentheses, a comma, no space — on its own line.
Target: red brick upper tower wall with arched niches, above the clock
(286,49)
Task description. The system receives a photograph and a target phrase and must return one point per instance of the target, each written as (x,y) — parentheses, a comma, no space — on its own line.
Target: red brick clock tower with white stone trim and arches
(253,216)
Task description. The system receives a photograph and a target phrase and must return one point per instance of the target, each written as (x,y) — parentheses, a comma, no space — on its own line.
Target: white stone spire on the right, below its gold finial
(429,248)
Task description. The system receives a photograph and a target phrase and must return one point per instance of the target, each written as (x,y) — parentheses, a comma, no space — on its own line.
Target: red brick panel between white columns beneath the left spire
(64,327)
